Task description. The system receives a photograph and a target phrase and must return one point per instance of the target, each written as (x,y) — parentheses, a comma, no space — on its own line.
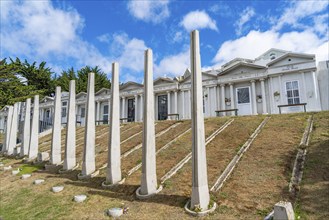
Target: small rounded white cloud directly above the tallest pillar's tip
(198,20)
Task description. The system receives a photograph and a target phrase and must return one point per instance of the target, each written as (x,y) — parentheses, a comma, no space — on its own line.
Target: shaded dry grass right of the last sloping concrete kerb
(313,201)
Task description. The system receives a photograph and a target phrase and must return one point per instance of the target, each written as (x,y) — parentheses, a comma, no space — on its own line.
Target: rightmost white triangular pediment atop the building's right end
(291,58)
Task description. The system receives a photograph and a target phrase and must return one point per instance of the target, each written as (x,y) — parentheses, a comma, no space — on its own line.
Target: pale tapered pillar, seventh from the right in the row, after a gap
(34,139)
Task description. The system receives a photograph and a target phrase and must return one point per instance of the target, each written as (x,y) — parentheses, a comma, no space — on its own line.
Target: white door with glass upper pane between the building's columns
(243,100)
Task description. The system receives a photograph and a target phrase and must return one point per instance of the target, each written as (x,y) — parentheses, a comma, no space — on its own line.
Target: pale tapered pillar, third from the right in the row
(113,175)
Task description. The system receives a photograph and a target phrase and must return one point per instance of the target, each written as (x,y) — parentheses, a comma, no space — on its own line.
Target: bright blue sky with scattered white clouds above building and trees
(78,33)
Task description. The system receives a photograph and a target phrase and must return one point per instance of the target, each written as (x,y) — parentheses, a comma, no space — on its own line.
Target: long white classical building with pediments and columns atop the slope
(252,87)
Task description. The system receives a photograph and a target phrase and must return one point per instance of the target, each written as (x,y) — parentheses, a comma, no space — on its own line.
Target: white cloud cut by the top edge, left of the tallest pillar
(149,11)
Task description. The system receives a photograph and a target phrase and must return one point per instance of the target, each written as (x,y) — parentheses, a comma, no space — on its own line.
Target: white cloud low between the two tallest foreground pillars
(173,65)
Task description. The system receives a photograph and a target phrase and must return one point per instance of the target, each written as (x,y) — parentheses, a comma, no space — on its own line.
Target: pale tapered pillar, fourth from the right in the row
(88,164)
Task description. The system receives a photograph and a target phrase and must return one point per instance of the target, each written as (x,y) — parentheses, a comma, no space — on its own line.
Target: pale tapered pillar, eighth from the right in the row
(27,129)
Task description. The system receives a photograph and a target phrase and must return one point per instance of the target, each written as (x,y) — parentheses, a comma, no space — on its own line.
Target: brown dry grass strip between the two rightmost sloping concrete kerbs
(262,176)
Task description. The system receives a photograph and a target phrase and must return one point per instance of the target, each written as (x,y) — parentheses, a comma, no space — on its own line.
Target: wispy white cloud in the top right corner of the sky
(299,10)
